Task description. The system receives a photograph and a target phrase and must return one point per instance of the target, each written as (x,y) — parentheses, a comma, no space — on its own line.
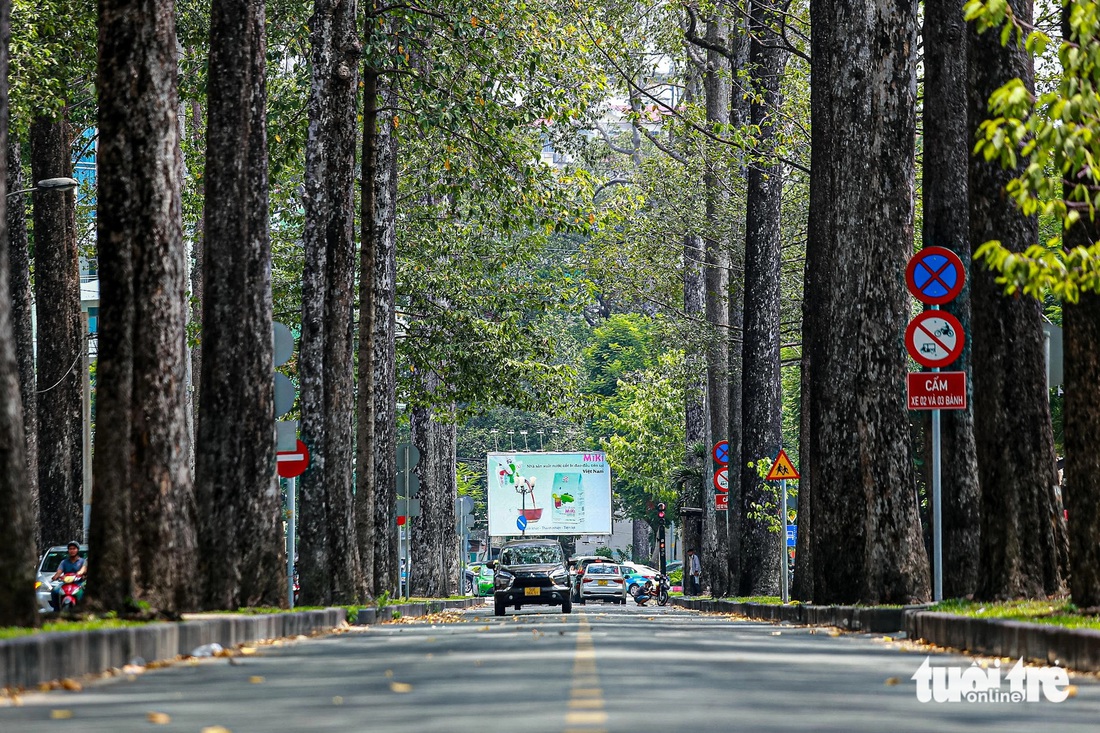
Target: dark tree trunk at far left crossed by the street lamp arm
(58,304)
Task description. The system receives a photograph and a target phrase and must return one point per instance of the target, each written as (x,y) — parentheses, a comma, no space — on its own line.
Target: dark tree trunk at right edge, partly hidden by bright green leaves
(1082,337)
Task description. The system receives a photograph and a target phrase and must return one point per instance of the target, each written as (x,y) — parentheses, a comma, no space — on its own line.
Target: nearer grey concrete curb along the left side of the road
(30,661)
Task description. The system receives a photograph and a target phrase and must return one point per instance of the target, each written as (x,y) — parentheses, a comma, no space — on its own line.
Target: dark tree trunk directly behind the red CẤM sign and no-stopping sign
(947,224)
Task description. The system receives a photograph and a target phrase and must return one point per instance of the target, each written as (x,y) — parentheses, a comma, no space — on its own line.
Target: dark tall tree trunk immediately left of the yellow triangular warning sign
(763,404)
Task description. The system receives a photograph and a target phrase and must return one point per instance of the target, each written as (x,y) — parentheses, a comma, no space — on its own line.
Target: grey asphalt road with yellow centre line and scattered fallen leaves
(602,670)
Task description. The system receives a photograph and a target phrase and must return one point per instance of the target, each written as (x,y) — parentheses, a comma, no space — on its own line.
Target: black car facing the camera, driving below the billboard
(532,572)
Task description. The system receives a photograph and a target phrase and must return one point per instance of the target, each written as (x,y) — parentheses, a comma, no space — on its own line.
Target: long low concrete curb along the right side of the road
(1077,649)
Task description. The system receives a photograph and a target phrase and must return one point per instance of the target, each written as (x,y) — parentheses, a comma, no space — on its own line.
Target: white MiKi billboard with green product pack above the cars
(549,495)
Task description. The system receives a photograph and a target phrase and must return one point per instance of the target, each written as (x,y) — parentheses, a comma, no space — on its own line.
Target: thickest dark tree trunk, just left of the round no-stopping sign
(866,533)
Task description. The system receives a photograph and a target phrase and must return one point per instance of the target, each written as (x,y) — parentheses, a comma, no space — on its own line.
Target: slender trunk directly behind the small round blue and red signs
(717,277)
